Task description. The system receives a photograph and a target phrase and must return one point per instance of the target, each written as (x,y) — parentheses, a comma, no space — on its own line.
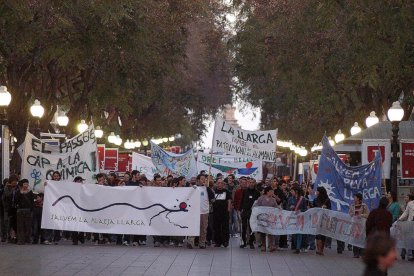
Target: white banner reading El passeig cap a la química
(74,157)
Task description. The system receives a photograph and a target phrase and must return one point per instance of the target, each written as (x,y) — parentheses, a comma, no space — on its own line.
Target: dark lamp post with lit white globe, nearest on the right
(395,115)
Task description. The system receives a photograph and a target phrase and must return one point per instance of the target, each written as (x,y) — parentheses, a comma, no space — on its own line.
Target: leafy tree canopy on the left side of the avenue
(160,66)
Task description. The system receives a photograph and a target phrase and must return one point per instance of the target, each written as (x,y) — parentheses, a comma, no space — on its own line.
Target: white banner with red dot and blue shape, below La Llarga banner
(226,164)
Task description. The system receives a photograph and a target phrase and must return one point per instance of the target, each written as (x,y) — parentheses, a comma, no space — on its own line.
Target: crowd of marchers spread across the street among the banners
(226,207)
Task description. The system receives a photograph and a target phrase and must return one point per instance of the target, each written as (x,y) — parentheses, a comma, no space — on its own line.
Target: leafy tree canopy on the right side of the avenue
(316,66)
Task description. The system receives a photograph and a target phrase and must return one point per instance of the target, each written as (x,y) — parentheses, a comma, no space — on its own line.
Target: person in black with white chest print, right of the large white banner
(221,211)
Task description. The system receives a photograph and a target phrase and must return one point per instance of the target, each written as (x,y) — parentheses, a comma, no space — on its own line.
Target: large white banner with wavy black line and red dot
(121,210)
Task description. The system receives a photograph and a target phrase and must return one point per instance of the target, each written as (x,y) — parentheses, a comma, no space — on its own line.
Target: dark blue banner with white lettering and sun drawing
(342,182)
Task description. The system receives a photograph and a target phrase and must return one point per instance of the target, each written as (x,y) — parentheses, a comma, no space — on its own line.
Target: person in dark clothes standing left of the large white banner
(24,205)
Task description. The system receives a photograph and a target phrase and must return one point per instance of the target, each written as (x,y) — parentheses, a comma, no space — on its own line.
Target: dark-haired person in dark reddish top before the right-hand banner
(380,219)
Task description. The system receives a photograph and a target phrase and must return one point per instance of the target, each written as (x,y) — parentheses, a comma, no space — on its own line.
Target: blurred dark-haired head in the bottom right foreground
(380,254)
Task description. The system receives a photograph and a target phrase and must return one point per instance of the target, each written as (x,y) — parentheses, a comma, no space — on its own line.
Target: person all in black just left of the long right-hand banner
(250,195)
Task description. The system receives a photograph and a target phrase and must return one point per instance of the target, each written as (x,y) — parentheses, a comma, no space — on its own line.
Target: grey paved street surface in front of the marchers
(66,259)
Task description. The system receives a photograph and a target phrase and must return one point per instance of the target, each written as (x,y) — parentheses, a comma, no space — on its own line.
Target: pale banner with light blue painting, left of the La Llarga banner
(172,163)
